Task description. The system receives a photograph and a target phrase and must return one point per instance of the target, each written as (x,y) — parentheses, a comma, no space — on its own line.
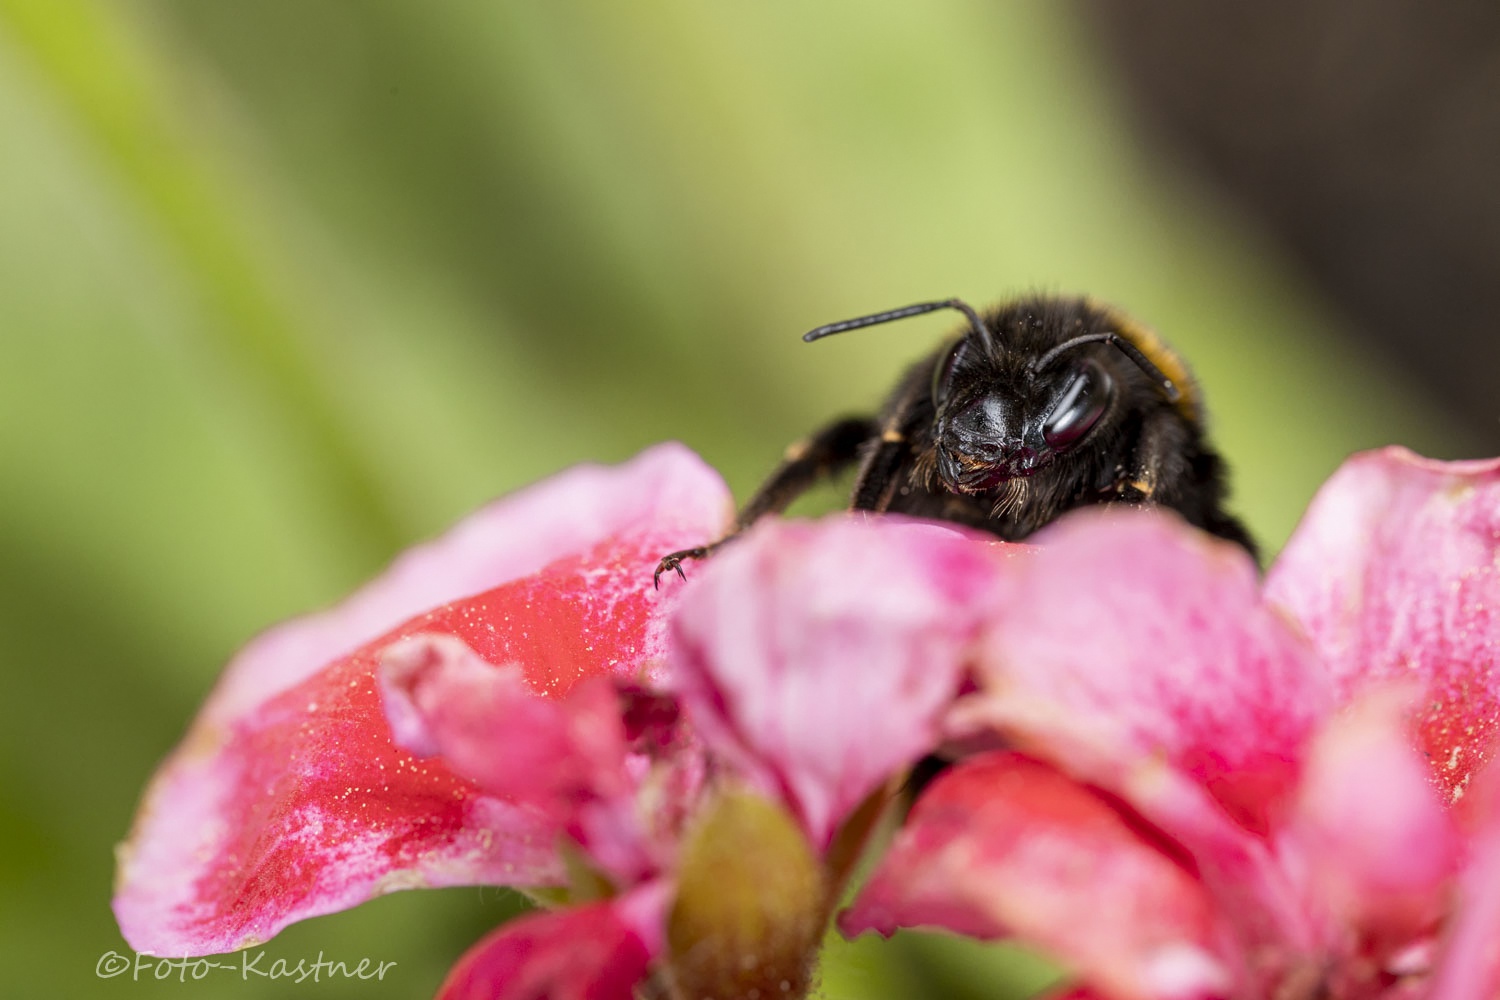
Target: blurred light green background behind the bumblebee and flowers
(289,286)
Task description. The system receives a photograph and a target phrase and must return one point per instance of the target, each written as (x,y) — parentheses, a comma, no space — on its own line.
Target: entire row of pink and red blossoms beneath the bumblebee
(1180,783)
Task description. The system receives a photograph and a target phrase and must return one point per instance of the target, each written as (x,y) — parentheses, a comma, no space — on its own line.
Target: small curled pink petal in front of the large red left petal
(563,758)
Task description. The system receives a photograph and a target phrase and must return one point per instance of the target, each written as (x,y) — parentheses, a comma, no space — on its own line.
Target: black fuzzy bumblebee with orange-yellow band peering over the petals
(1033,410)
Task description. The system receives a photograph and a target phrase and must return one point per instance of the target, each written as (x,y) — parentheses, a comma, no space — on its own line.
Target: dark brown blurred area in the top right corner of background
(1367,139)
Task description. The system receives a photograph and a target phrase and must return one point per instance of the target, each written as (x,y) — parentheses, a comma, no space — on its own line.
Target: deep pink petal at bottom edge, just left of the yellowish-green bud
(589,953)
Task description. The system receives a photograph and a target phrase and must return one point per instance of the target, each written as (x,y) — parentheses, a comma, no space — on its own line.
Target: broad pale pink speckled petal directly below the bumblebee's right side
(1132,638)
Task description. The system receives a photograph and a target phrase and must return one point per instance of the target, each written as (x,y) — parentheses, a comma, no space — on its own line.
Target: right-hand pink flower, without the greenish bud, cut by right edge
(1202,788)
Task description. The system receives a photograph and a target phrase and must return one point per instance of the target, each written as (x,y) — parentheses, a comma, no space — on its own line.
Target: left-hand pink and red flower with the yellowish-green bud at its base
(524,737)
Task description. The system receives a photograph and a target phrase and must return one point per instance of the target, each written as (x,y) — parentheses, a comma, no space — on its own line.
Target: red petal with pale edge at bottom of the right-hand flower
(1006,846)
